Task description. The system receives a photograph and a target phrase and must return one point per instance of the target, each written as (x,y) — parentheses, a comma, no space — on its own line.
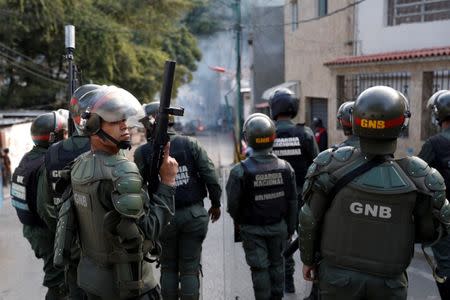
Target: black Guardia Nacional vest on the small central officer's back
(266,192)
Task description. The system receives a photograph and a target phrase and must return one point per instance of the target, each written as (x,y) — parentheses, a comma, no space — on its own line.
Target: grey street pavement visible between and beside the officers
(226,274)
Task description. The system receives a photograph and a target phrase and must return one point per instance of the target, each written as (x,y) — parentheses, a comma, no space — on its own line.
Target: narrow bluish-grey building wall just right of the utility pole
(267,49)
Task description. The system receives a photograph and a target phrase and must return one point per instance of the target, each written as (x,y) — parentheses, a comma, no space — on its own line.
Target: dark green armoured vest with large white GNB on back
(369,225)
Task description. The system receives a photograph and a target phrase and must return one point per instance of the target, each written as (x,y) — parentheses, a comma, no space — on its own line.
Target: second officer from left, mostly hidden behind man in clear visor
(59,156)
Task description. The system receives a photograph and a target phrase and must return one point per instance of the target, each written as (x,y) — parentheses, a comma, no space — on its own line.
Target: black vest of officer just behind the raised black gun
(190,188)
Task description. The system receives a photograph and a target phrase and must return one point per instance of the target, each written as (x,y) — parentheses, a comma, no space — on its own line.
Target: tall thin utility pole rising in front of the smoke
(240,108)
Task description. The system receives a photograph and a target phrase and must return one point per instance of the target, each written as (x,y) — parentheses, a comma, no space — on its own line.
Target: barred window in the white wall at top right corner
(416,11)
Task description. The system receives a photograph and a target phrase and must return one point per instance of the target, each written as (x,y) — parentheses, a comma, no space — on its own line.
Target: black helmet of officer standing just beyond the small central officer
(283,101)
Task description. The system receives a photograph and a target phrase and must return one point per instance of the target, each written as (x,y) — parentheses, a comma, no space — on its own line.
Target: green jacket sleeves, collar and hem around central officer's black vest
(235,193)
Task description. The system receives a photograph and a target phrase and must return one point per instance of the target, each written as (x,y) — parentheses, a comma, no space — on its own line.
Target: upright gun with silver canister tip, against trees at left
(72,72)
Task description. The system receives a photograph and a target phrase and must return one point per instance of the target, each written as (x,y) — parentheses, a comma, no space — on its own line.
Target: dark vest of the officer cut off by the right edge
(441,148)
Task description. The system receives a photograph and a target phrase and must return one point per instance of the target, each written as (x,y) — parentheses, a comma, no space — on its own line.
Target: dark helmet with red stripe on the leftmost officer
(48,128)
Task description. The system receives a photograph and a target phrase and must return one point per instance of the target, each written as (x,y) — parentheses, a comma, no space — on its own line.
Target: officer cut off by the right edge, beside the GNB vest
(436,152)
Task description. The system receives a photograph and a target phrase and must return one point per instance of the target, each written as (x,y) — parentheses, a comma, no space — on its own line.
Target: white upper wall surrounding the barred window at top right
(374,36)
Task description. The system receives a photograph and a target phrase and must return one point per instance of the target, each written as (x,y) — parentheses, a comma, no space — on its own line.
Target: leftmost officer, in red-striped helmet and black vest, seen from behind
(46,129)
